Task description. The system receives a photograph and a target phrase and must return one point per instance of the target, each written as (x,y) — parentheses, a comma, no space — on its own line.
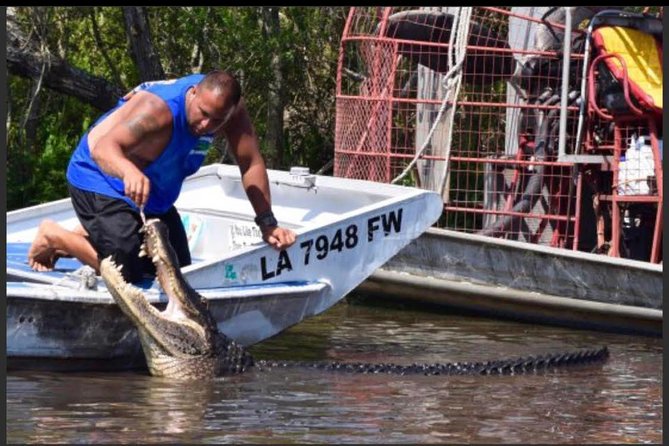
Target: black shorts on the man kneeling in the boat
(113,230)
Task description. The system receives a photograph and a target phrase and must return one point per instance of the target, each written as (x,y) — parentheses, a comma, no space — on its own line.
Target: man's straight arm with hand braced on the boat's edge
(244,144)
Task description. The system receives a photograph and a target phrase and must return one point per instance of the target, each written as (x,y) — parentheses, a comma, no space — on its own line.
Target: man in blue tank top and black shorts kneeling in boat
(135,158)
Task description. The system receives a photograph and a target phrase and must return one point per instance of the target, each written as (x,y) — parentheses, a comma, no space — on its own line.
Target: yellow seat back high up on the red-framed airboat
(634,58)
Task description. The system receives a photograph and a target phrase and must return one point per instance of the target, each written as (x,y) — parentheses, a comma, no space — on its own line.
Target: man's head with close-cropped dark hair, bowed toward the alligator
(211,103)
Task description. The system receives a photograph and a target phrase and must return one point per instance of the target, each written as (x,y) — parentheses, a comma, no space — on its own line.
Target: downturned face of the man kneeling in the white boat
(207,110)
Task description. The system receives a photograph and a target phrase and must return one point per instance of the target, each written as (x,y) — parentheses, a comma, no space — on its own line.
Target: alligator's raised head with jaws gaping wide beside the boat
(183,340)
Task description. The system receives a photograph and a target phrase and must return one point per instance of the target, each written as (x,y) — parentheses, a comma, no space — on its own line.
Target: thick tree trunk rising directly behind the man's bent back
(143,52)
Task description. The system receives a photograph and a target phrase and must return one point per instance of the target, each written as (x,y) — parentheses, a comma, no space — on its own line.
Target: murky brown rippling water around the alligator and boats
(619,401)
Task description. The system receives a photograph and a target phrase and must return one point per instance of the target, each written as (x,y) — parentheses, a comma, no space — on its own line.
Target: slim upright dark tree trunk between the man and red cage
(275,94)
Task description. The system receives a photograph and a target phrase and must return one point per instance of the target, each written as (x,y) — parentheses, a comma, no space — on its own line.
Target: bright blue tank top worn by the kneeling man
(183,155)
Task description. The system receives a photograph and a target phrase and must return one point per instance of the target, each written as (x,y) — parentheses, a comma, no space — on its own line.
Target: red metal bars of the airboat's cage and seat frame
(378,132)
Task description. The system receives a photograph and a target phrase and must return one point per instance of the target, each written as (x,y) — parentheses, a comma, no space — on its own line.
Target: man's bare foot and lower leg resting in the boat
(53,241)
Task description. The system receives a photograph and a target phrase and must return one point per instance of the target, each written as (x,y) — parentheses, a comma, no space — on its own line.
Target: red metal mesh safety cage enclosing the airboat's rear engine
(483,105)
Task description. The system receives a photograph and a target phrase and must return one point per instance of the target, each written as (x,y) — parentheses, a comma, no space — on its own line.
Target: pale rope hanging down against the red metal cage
(451,81)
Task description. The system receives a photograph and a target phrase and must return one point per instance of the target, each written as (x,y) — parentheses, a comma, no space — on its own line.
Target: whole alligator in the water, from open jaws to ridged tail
(184,341)
